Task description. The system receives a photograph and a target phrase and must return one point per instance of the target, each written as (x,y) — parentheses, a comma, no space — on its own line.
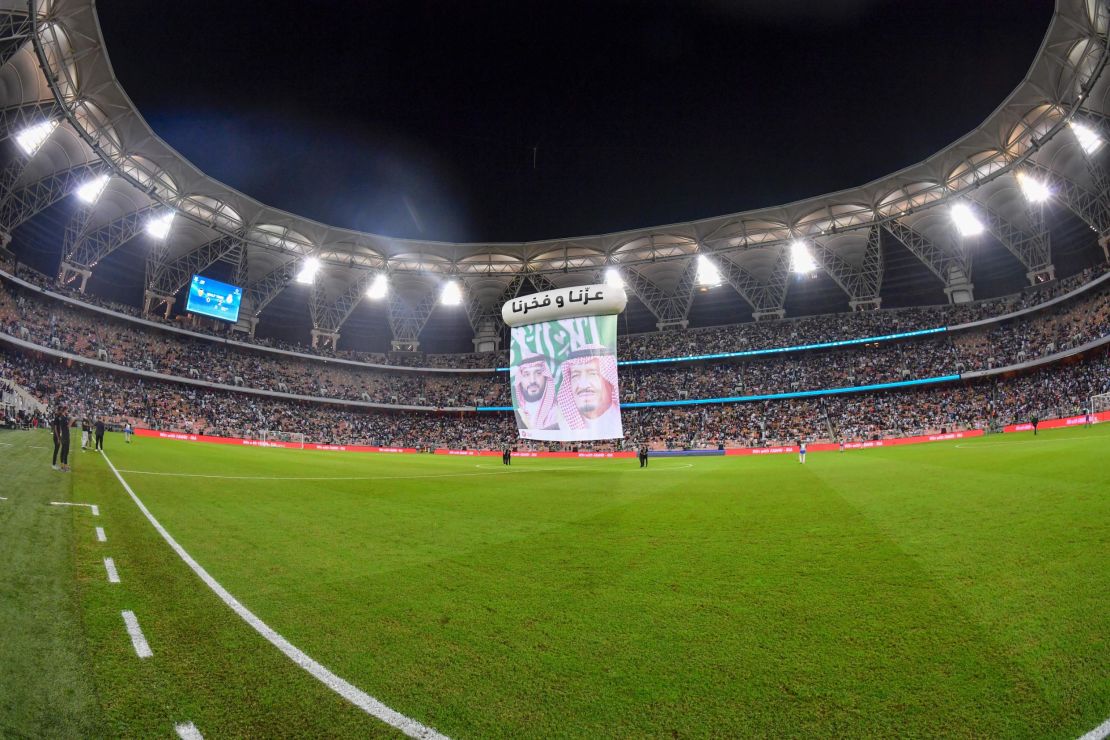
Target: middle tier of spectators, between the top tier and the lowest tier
(49,323)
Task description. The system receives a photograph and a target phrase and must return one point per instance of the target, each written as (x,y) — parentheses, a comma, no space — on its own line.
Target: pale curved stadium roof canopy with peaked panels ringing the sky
(56,68)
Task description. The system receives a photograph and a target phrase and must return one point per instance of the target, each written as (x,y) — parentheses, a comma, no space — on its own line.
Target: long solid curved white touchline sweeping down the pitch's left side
(349,692)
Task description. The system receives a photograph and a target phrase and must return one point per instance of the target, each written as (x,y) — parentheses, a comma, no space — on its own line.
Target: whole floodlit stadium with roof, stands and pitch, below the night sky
(832,468)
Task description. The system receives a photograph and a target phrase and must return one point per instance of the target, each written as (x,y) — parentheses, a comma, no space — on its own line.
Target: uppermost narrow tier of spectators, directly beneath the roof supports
(671,343)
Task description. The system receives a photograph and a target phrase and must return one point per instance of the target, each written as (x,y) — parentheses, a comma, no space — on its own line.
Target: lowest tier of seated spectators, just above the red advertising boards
(119,398)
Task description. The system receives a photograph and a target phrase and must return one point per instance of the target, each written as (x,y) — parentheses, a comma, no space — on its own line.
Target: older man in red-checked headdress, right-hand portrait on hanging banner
(589,396)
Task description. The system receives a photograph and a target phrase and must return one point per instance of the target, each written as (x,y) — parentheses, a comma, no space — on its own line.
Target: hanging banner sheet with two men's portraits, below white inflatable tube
(564,380)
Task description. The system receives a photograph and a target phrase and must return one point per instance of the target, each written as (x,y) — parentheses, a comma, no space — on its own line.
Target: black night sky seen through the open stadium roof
(522,120)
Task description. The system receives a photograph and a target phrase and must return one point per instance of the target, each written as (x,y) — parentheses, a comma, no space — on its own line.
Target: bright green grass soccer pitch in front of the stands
(943,590)
